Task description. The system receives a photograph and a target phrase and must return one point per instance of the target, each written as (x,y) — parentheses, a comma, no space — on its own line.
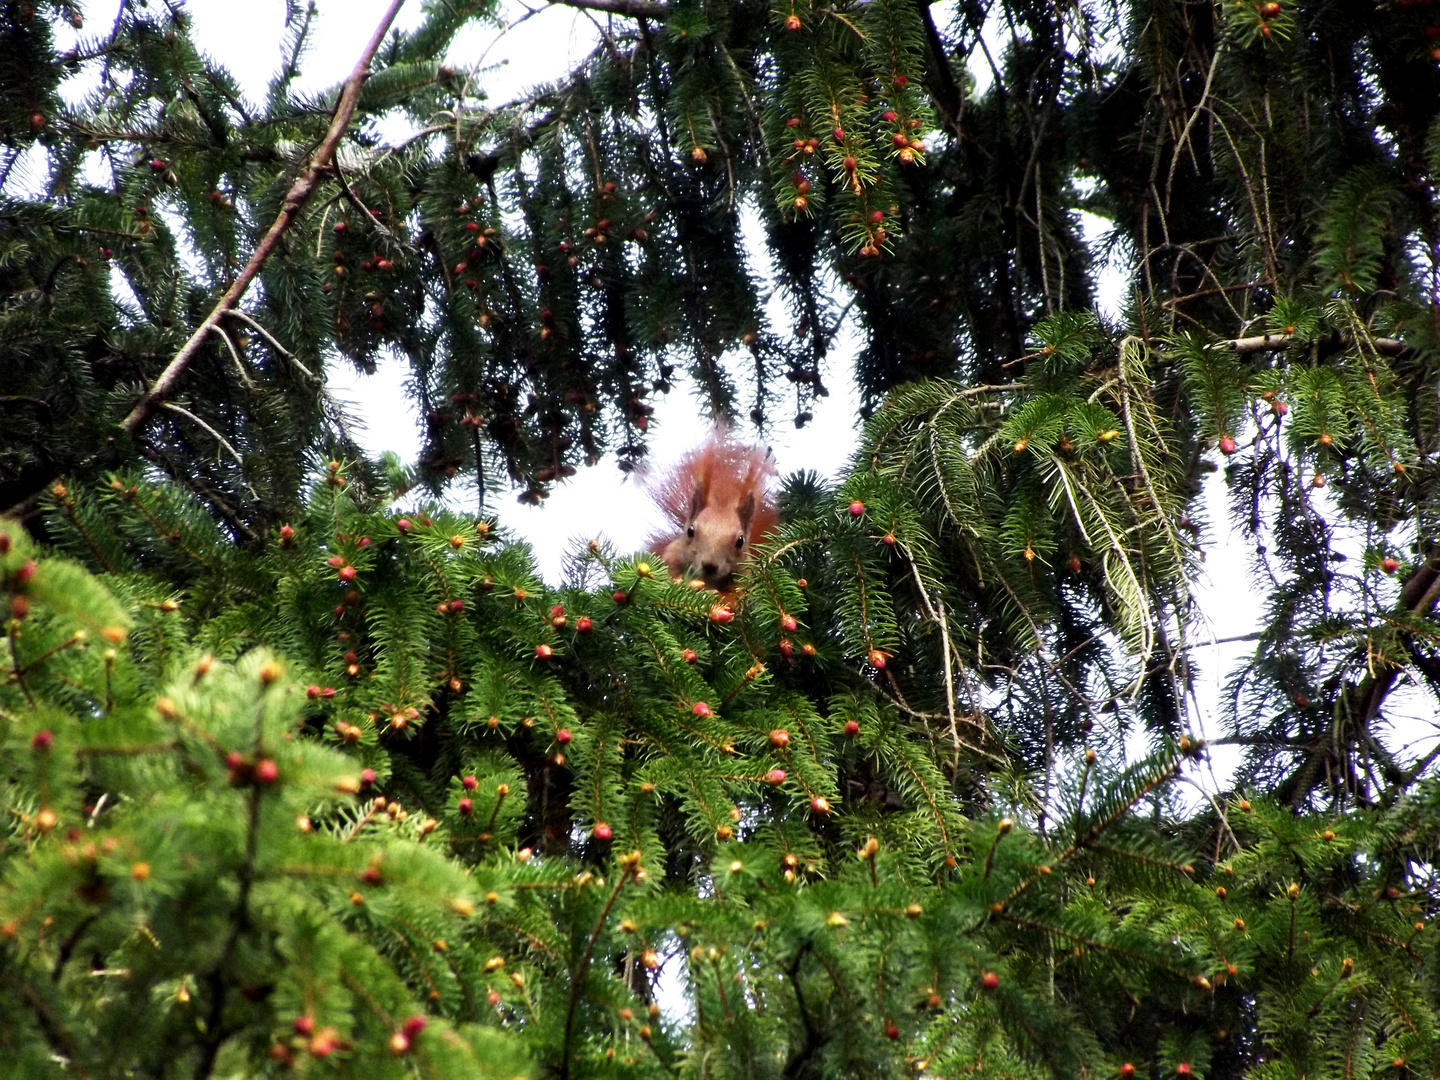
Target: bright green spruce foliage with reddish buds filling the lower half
(590,787)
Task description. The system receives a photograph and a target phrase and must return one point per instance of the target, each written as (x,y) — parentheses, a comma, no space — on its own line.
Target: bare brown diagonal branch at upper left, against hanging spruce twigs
(296,199)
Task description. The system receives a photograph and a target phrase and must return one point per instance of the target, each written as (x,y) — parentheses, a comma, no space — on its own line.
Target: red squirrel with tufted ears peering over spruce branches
(719,503)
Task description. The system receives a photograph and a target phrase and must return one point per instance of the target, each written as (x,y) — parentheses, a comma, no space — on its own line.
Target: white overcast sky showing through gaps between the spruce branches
(601,502)
